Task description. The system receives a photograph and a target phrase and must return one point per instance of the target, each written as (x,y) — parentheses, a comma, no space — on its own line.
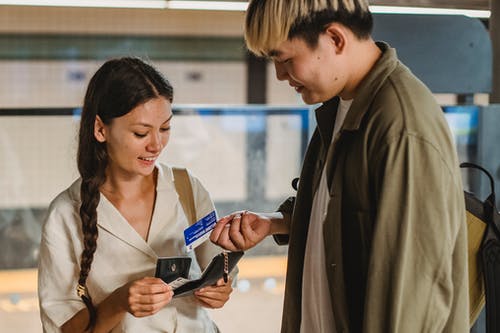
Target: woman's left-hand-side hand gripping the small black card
(145,297)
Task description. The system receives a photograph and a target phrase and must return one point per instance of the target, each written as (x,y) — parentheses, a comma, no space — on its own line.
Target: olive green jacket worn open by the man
(395,233)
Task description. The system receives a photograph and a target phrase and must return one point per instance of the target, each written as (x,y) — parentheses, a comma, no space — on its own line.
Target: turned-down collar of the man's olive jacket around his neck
(366,91)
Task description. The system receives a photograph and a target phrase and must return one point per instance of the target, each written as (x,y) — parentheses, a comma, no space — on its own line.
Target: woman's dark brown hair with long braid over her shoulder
(115,89)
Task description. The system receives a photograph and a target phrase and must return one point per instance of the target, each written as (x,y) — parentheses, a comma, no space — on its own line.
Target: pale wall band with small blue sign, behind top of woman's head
(38,84)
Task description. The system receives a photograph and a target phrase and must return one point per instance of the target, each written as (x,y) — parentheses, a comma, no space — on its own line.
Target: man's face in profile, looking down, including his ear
(317,74)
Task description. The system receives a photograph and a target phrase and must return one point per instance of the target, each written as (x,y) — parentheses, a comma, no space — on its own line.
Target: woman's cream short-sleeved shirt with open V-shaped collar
(122,255)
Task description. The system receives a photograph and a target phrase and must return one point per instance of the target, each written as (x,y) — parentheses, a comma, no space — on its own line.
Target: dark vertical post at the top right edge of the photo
(494,26)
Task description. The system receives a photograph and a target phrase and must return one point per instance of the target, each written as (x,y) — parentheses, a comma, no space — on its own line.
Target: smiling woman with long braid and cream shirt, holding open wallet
(103,235)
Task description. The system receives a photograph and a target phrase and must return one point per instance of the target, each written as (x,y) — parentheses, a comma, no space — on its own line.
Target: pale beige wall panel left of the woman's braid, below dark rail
(37,159)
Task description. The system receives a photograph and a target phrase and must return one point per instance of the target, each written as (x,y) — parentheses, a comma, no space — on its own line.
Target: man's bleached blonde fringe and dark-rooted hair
(271,22)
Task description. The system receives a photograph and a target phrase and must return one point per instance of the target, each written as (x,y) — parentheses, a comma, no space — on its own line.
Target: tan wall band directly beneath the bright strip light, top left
(73,20)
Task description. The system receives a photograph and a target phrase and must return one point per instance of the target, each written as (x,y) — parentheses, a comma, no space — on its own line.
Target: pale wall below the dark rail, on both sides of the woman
(39,155)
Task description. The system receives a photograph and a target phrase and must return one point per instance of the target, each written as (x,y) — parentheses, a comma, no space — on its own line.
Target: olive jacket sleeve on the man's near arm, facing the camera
(417,273)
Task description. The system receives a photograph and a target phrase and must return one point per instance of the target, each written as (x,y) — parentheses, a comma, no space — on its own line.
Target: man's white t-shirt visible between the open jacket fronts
(317,311)
